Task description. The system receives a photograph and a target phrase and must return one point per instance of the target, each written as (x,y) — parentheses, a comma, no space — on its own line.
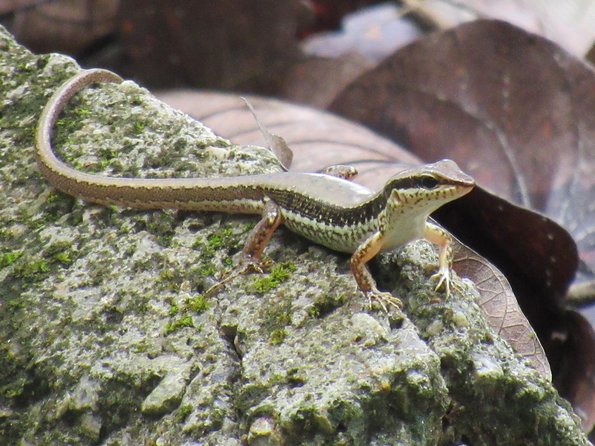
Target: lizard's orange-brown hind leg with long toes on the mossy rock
(258,239)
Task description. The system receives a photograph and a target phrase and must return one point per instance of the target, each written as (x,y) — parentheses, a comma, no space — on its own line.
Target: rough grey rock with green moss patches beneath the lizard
(106,339)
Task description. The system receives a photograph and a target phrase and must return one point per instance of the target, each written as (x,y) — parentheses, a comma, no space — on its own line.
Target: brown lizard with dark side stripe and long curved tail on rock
(326,209)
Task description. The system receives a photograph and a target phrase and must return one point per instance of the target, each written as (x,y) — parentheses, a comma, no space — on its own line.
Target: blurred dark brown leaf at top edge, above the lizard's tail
(220,44)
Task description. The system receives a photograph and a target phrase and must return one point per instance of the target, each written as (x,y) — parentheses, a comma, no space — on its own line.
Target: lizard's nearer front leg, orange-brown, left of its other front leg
(362,255)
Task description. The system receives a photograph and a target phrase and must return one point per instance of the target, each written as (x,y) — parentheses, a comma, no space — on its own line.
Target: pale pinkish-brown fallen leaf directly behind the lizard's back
(318,139)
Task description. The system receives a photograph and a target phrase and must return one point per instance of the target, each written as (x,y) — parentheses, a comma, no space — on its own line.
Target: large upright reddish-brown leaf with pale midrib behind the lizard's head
(513,109)
